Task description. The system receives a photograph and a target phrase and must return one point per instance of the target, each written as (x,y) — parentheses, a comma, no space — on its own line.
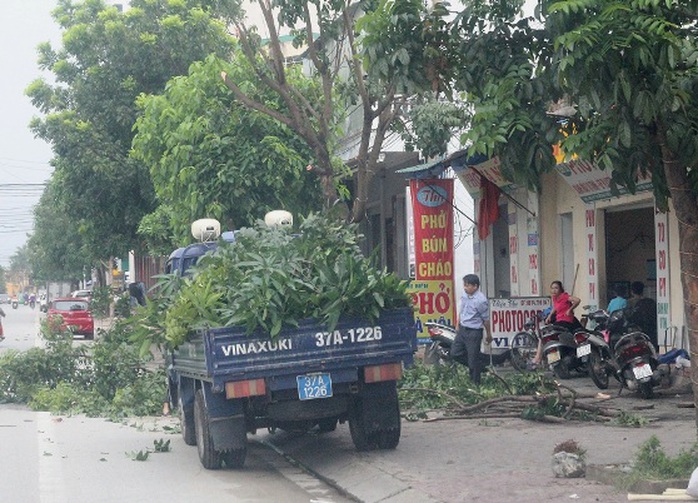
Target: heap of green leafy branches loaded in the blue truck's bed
(270,279)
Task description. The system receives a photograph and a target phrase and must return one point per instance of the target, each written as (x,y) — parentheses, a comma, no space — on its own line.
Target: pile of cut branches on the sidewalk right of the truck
(438,393)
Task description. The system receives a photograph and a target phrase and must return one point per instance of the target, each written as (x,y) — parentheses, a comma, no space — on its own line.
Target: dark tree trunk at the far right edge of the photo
(686,209)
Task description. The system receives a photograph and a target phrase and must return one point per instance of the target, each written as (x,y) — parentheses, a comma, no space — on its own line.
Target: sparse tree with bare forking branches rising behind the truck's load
(372,56)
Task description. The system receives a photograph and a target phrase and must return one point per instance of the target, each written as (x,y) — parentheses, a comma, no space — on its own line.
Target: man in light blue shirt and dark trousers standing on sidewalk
(473,317)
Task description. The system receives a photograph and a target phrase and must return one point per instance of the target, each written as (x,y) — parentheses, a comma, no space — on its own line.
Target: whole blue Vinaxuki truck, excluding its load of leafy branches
(227,383)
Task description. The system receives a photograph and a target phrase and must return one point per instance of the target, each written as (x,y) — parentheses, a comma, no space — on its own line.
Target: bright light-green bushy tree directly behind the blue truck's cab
(209,155)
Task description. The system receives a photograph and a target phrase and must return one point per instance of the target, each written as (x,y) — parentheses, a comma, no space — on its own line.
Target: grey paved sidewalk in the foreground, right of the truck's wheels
(489,461)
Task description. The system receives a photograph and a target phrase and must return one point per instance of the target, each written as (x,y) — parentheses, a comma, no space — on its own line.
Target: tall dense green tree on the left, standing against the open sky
(107,59)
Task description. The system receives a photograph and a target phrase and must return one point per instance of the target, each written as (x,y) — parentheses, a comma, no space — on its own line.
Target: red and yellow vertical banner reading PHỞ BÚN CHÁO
(433,289)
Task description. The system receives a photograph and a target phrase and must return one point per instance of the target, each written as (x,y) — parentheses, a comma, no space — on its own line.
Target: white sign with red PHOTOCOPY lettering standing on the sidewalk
(507,317)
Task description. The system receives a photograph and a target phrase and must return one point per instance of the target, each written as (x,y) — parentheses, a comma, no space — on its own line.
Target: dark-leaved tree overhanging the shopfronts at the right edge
(630,70)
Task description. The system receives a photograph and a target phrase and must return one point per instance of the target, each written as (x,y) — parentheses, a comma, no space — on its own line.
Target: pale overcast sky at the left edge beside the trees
(24,160)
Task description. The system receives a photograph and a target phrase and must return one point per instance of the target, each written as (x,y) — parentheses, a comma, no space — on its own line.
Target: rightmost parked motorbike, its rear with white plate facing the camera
(634,361)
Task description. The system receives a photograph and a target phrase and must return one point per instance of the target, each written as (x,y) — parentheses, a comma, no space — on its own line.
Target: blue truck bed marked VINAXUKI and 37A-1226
(223,355)
